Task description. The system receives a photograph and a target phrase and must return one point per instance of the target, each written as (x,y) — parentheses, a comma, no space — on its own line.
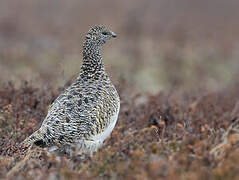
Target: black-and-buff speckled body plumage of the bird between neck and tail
(82,111)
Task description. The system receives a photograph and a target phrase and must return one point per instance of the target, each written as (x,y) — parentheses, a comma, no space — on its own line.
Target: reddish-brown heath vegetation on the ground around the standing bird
(164,136)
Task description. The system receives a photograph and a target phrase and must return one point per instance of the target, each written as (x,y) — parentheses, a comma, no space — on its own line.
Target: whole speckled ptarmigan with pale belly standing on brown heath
(86,112)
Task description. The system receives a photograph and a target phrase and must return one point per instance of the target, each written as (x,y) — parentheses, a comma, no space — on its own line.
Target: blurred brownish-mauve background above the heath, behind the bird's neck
(161,44)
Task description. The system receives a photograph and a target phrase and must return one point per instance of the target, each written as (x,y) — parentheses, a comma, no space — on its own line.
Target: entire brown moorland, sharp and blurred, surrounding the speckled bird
(175,64)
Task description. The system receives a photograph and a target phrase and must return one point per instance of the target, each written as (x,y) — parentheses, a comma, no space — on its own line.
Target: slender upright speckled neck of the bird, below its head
(92,60)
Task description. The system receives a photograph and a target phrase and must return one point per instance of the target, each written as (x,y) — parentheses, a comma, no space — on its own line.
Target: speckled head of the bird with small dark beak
(98,35)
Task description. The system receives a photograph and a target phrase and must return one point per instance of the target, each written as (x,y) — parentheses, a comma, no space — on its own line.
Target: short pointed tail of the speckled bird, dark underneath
(36,138)
